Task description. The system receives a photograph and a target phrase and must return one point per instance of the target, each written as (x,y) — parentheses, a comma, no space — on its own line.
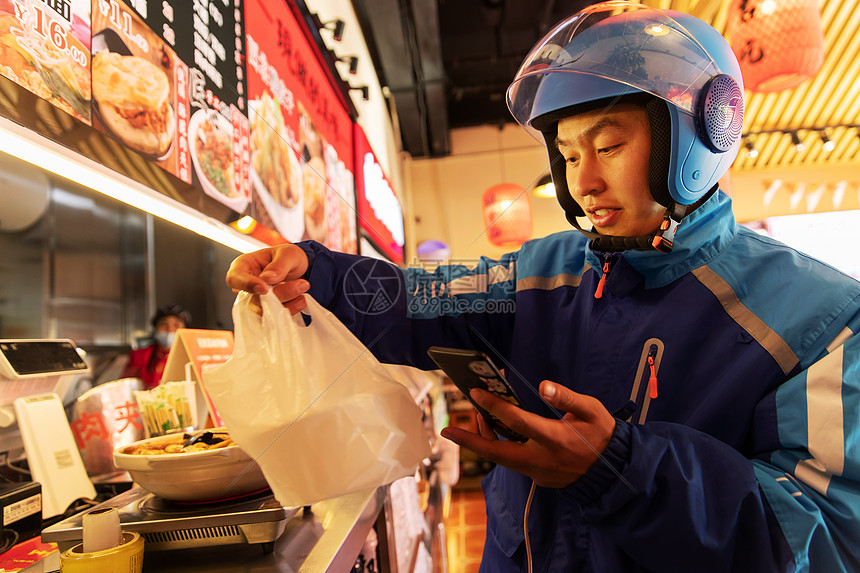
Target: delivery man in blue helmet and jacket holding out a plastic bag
(703,410)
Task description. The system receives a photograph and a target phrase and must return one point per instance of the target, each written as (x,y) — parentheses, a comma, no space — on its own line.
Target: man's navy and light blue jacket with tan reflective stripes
(747,459)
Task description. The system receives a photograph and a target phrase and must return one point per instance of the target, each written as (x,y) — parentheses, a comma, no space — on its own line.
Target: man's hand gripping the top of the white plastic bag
(278,267)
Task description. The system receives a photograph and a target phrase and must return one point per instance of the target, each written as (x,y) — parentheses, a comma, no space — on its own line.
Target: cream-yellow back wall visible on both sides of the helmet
(446,192)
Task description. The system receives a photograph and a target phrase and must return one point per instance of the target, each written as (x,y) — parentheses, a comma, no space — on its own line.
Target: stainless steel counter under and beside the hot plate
(326,539)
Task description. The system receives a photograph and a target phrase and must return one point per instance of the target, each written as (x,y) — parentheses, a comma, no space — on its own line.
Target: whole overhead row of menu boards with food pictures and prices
(229,96)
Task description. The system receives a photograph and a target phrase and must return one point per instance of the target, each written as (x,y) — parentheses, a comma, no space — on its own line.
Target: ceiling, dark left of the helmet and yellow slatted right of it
(447,64)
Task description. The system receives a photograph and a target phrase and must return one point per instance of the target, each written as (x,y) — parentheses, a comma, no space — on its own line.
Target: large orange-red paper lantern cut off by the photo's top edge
(779,43)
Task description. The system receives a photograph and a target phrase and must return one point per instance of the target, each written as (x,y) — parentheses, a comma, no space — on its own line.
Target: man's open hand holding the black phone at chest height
(558,452)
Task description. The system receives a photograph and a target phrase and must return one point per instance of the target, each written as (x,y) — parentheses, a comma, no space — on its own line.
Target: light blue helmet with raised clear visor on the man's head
(681,68)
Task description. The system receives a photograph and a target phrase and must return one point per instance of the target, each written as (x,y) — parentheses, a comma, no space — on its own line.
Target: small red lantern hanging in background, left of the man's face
(507,214)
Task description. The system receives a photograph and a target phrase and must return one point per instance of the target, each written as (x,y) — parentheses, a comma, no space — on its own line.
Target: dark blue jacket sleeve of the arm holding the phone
(677,499)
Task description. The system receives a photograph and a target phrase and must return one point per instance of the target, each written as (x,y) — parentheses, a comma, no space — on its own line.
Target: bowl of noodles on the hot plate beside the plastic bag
(211,468)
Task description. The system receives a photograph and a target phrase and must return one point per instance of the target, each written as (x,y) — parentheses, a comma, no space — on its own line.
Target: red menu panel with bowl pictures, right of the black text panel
(301,135)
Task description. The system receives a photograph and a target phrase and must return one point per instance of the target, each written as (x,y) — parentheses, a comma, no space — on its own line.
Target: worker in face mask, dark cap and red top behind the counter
(147,363)
